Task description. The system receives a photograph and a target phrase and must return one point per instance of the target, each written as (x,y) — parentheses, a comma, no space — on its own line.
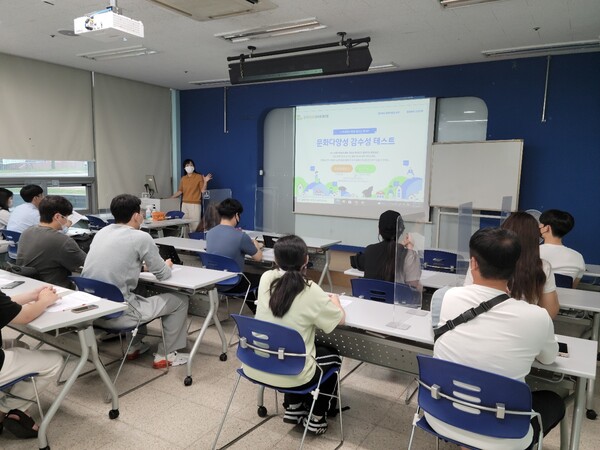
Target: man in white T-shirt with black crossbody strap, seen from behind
(508,337)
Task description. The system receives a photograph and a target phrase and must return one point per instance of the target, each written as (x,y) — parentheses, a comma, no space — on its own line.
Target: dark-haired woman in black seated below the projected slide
(379,260)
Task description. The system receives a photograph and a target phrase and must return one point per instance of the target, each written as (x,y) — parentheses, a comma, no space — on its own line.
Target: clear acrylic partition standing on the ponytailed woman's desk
(407,298)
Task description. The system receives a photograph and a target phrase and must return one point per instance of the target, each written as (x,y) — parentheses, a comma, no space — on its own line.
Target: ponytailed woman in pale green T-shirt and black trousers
(287,298)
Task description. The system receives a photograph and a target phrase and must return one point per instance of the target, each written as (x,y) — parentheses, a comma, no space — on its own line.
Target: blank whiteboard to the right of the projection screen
(478,172)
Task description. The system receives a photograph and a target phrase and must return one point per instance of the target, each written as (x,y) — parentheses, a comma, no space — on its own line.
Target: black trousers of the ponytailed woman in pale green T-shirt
(327,357)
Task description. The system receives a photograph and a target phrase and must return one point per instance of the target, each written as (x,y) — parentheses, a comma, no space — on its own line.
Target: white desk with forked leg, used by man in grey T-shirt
(190,279)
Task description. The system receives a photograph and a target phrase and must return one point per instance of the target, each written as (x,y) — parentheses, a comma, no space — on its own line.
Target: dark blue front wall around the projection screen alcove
(561,163)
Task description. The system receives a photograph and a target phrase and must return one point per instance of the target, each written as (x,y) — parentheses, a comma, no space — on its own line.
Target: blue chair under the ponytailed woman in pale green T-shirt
(278,350)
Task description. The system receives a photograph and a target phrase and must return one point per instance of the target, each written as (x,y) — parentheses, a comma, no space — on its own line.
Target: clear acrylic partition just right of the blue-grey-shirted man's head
(272,212)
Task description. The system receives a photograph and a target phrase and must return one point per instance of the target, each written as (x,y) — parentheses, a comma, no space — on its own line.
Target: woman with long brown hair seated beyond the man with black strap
(532,280)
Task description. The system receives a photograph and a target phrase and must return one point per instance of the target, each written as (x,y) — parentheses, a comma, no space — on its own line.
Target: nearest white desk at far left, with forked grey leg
(82,322)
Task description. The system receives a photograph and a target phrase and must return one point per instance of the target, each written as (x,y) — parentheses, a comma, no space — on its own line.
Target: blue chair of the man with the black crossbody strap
(472,400)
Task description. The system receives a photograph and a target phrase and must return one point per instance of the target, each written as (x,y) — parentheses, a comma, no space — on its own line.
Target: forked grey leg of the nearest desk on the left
(87,340)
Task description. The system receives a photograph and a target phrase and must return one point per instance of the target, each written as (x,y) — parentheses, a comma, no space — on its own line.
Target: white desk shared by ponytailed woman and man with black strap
(397,348)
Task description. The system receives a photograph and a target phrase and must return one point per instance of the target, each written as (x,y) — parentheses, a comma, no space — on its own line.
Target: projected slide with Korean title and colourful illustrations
(360,159)
